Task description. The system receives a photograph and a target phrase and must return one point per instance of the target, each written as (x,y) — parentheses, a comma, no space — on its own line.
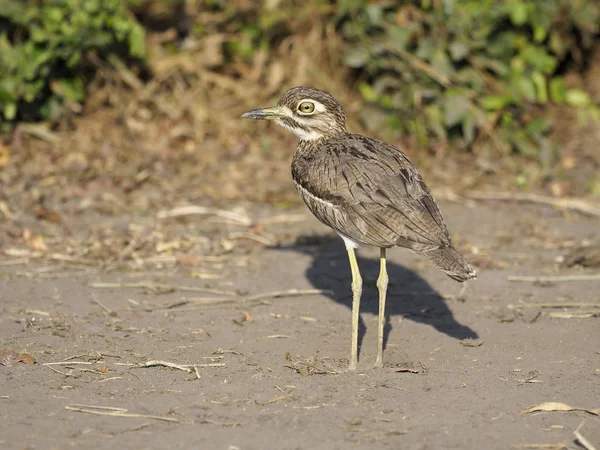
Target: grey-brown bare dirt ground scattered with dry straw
(460,366)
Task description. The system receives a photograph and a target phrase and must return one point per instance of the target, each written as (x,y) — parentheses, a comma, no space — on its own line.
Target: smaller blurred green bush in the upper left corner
(44,48)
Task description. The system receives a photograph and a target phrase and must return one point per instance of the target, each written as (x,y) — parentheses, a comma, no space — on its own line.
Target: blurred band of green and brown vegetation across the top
(475,73)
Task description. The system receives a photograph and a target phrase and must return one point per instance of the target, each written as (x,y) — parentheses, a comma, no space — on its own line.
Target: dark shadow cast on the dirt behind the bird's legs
(408,294)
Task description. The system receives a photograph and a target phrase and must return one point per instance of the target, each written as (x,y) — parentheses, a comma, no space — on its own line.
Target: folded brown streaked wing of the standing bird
(372,193)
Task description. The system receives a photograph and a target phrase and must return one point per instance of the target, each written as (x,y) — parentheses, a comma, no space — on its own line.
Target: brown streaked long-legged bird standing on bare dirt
(368,191)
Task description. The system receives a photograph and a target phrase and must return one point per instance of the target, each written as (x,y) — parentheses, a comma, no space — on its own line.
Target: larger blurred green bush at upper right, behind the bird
(456,68)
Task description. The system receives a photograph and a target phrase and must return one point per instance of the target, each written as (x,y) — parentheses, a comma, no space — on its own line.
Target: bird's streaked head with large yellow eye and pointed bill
(309,113)
